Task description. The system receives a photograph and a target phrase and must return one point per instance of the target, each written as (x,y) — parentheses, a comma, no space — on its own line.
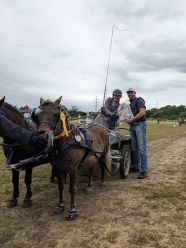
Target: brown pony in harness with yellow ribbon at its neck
(71,151)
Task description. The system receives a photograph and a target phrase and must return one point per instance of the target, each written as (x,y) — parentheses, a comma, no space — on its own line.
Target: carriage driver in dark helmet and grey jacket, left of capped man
(108,116)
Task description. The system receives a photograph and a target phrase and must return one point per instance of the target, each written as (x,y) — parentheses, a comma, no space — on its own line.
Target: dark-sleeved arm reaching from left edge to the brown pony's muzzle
(14,132)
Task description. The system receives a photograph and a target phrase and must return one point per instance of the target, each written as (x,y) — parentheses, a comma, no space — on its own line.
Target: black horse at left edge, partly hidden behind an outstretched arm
(19,152)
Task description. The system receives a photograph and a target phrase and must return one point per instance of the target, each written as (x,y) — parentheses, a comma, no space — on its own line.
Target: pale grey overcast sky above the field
(50,48)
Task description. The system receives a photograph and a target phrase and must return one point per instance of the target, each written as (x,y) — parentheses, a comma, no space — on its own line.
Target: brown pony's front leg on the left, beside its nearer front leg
(60,207)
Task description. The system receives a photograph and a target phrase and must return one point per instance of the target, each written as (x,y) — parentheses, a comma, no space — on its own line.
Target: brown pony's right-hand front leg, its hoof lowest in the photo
(72,189)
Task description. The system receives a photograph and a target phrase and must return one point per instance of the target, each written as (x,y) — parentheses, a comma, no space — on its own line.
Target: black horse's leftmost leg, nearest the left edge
(15,180)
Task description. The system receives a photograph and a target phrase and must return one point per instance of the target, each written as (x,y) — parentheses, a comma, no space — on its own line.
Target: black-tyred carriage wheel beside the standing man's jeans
(125,161)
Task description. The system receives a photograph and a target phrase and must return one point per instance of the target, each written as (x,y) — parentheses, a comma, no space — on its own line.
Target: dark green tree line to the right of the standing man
(168,112)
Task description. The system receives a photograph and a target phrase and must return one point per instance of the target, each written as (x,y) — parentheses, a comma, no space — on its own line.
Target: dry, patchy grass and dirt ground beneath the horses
(122,213)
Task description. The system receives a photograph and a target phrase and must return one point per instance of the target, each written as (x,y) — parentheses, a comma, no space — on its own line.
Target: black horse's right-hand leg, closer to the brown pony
(27,202)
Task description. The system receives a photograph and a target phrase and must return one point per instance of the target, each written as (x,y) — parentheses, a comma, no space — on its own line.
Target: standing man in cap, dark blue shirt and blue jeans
(138,133)
